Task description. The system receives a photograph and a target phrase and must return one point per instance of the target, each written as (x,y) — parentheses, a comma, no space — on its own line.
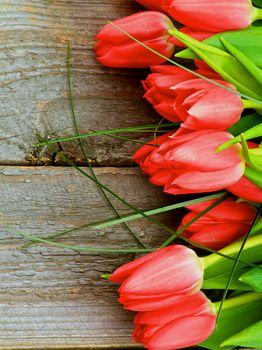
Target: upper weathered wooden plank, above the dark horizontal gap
(33,94)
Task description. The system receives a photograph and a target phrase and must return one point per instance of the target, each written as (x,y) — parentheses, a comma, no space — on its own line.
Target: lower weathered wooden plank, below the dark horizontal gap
(53,297)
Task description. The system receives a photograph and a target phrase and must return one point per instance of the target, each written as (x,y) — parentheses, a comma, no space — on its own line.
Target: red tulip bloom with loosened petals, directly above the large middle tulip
(179,95)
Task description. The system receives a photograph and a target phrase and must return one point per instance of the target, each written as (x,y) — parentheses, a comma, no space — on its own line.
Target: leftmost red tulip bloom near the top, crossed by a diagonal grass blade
(116,49)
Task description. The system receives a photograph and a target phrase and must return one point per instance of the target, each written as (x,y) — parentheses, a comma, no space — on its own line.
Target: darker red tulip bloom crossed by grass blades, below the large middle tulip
(227,222)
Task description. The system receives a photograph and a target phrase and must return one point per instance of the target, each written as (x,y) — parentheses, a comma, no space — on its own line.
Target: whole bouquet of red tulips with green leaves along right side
(209,151)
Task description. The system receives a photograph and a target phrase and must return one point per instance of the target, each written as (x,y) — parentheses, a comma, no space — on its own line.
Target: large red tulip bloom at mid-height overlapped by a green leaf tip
(189,164)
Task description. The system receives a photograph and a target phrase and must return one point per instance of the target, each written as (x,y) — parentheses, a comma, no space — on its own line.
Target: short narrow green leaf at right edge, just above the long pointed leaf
(243,59)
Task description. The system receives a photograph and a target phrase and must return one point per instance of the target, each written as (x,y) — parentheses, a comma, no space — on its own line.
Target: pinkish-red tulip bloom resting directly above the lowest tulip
(159,279)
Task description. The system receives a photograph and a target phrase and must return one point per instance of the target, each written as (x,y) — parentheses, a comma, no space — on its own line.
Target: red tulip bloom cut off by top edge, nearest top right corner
(213,15)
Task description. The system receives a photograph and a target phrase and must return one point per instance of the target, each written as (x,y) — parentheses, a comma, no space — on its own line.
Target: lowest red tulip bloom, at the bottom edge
(181,325)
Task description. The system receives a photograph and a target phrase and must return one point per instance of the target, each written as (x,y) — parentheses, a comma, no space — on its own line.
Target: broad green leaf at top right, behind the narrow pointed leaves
(248,41)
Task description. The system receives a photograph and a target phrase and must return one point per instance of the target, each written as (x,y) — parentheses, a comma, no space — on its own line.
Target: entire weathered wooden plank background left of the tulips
(53,298)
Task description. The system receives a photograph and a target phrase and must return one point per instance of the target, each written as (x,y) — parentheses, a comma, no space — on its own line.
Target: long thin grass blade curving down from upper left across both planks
(85,151)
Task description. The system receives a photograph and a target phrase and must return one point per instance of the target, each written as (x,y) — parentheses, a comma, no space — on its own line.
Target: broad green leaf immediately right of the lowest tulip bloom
(237,314)
